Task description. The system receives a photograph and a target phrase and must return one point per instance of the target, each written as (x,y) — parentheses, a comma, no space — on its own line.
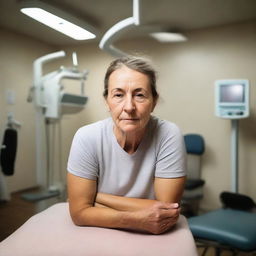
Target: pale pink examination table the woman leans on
(52,232)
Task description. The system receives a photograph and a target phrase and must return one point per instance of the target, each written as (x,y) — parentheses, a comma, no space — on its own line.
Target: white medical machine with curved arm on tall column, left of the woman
(51,101)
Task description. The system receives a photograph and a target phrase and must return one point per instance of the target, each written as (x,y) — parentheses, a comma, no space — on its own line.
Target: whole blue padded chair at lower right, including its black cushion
(227,228)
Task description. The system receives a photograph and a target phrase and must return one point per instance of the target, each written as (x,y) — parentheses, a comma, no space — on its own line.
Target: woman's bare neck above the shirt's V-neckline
(129,142)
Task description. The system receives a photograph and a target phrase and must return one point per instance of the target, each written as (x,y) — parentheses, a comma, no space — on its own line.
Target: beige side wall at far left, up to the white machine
(17,54)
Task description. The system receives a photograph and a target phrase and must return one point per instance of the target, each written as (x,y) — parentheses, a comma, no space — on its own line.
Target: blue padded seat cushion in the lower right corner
(226,226)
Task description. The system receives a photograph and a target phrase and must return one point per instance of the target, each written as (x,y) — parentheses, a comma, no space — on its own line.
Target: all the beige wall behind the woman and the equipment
(187,72)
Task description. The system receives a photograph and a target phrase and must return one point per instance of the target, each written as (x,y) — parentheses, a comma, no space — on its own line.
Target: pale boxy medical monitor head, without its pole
(232,98)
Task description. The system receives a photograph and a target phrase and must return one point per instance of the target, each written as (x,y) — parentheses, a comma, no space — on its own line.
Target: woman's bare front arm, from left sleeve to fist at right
(82,193)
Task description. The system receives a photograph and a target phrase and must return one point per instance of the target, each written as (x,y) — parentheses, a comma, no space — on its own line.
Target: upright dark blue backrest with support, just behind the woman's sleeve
(195,147)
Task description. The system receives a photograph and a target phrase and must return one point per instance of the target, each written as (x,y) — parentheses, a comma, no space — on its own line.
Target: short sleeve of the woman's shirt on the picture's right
(171,155)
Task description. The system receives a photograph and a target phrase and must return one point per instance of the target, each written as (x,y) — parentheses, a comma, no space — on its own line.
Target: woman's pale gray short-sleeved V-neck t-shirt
(95,154)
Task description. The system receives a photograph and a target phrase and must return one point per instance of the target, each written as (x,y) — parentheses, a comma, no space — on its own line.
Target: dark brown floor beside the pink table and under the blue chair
(15,212)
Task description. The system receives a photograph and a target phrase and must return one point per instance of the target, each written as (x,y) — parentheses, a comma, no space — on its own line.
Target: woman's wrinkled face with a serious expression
(130,100)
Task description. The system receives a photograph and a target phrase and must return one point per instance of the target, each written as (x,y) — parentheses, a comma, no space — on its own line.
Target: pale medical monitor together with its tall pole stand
(232,102)
